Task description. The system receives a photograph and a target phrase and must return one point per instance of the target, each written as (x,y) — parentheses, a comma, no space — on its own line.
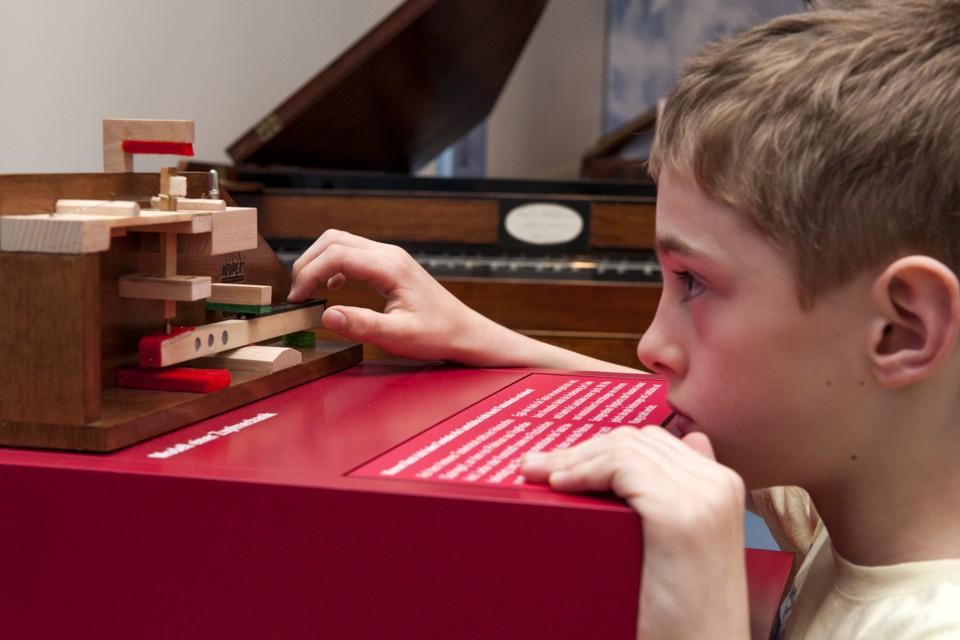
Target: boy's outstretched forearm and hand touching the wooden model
(421,319)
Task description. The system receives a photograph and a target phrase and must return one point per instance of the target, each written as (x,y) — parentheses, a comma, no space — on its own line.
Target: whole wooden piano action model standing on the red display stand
(133,304)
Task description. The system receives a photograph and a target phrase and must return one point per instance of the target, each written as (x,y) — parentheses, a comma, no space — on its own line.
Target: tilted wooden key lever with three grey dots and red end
(162,351)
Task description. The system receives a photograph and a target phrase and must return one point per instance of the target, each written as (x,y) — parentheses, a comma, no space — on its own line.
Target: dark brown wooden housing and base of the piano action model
(67,332)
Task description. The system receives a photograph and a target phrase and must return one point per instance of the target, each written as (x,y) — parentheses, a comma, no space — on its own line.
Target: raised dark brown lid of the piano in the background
(415,83)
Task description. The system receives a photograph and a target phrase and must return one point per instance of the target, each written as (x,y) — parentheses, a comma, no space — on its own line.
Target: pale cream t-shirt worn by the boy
(833,598)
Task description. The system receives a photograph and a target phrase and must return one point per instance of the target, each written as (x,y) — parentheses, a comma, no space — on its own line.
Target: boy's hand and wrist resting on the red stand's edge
(693,577)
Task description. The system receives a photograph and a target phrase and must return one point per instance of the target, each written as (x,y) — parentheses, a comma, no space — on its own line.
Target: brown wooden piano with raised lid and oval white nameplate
(566,262)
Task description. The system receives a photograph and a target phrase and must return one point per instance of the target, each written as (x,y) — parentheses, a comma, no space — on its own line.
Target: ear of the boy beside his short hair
(917,300)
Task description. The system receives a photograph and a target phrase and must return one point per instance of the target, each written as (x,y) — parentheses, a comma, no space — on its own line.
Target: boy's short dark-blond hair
(837,131)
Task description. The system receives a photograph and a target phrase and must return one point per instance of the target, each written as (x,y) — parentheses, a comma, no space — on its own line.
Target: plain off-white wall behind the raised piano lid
(67,64)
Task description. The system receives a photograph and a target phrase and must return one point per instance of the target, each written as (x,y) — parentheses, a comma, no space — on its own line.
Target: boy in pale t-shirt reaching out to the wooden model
(808,223)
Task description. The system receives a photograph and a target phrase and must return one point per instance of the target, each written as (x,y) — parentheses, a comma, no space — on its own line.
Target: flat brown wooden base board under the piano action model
(129,416)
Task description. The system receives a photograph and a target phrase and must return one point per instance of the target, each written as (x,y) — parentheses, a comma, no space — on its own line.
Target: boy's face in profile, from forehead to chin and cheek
(776,388)
